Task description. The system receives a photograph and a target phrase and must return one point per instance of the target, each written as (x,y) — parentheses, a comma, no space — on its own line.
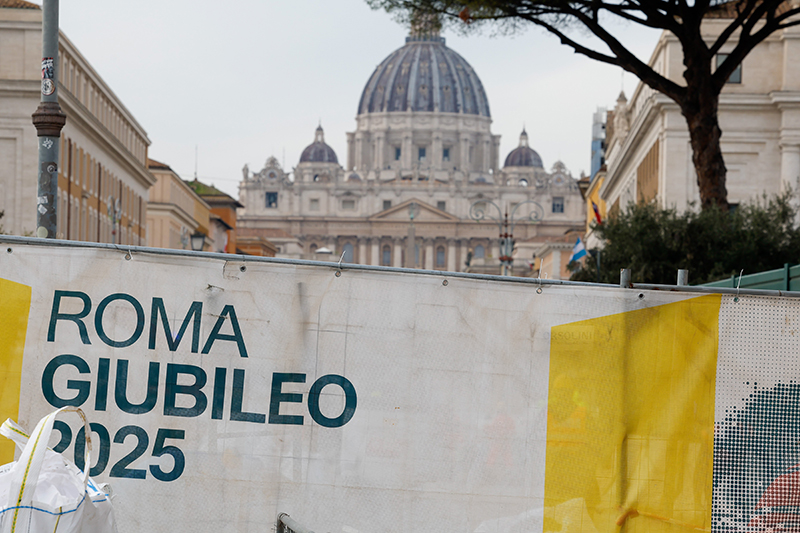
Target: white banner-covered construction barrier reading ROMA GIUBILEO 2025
(223,391)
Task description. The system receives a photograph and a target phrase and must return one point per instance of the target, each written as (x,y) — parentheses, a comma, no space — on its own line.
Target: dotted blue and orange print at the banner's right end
(757,416)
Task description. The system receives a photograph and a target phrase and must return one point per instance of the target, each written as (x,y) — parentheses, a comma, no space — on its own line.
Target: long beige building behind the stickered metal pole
(103,166)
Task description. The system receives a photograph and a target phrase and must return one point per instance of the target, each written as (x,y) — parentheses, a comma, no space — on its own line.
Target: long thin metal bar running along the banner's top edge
(333,265)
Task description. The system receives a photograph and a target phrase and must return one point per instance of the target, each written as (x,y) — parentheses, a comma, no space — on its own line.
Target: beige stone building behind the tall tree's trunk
(648,154)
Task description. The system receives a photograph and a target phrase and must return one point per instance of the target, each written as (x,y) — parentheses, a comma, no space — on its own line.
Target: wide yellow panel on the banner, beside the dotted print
(630,420)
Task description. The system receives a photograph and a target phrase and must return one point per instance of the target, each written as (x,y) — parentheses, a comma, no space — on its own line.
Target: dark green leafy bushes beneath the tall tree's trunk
(712,244)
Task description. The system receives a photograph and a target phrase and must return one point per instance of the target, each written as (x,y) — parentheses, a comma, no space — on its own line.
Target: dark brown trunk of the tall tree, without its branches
(699,106)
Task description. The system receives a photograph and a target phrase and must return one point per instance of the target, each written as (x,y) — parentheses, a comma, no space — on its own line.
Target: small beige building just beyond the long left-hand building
(174,211)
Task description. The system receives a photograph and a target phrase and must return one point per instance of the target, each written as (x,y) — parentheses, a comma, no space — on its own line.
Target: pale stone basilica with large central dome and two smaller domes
(422,186)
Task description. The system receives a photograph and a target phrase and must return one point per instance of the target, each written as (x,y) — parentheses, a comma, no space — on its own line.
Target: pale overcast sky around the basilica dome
(242,80)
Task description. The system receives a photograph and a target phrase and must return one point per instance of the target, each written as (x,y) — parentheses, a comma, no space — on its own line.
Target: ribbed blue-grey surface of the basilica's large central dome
(424,75)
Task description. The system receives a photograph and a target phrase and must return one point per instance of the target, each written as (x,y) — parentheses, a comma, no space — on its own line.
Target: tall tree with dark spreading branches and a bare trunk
(749,22)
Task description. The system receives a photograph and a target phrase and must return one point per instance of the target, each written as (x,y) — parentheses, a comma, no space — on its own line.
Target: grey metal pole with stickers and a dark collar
(48,120)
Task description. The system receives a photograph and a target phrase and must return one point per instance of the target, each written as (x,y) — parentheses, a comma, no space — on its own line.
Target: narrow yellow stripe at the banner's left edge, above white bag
(15,304)
